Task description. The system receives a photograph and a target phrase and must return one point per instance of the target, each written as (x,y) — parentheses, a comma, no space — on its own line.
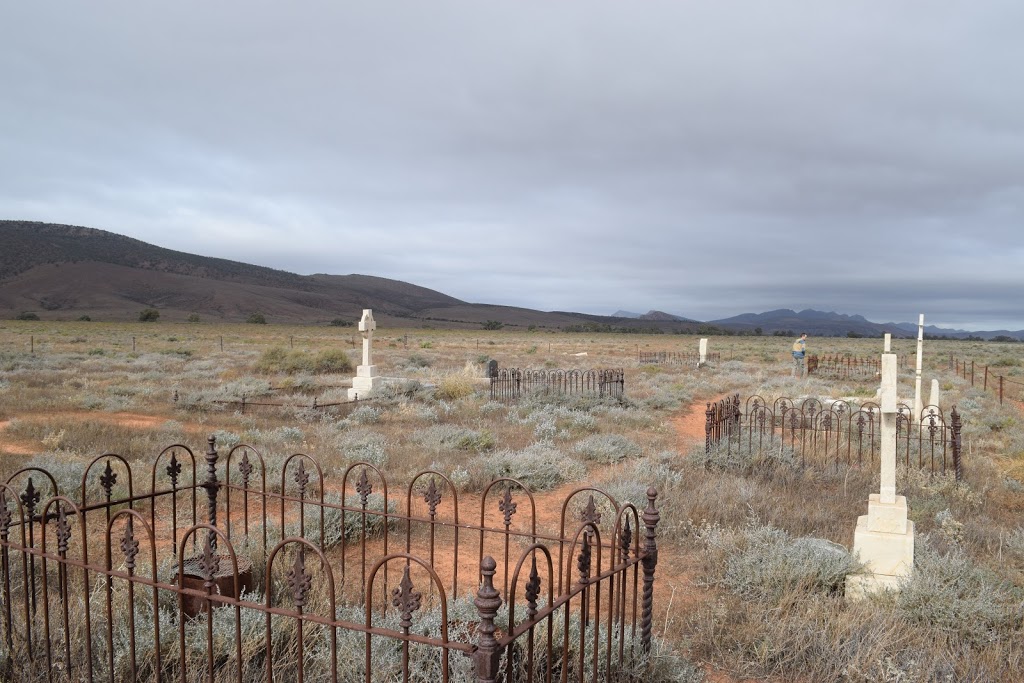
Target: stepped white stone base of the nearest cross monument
(884,541)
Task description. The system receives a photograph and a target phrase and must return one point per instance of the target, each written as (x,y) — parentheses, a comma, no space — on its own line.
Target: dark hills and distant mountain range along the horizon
(66,272)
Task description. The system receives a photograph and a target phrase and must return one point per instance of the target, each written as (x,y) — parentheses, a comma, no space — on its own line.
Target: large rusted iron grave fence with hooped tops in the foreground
(289,577)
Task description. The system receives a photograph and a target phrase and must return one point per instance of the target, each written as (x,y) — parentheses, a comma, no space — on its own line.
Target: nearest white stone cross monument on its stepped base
(884,538)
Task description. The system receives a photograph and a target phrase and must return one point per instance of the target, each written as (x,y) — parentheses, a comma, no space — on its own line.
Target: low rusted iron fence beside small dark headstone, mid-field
(513,383)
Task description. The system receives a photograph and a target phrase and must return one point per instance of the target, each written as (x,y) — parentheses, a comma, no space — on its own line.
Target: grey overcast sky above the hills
(703,158)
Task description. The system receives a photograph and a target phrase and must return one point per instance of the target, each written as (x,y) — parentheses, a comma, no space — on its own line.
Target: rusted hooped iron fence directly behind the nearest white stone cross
(812,433)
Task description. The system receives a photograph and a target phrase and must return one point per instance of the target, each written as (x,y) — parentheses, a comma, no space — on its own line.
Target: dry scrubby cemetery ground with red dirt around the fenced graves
(745,589)
